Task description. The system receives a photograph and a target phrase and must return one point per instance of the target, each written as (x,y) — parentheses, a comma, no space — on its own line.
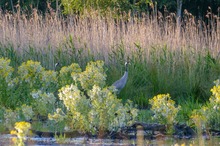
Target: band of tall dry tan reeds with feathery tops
(102,34)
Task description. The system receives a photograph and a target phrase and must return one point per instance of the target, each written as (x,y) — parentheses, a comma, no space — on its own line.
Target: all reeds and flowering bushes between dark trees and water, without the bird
(182,60)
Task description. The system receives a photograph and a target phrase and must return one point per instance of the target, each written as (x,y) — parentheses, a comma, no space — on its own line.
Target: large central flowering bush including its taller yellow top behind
(98,109)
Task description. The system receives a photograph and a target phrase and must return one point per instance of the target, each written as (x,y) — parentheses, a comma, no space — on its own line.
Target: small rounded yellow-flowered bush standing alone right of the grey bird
(164,108)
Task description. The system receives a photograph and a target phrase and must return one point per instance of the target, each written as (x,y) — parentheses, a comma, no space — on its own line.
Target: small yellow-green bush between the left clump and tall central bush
(66,72)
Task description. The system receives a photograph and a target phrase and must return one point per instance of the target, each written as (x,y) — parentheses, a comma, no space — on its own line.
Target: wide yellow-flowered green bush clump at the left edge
(27,92)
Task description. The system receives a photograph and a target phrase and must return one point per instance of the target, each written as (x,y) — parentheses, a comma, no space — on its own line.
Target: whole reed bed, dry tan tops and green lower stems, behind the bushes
(166,57)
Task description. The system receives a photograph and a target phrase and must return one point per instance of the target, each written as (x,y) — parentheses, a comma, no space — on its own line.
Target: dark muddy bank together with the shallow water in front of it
(140,134)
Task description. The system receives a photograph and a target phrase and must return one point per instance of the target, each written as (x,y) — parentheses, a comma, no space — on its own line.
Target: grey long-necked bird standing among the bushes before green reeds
(120,84)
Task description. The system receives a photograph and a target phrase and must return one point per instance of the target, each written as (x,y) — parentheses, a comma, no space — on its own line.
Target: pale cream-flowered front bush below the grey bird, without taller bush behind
(102,110)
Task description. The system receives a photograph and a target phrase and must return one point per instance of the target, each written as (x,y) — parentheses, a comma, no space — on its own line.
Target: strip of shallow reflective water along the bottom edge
(6,140)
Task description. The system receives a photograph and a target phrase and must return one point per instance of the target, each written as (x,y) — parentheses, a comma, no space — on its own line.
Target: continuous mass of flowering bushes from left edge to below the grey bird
(89,105)
